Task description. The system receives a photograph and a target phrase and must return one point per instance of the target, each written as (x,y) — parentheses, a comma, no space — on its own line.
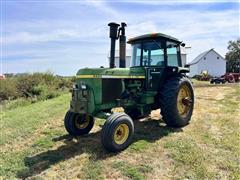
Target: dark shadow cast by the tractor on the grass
(149,130)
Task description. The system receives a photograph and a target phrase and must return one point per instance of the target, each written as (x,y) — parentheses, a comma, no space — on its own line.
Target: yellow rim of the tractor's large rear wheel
(184,100)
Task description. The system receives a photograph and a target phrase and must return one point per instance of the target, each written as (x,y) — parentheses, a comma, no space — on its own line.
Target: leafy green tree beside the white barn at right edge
(233,56)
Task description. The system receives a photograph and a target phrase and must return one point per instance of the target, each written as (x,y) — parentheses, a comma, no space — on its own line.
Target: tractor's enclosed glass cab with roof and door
(159,55)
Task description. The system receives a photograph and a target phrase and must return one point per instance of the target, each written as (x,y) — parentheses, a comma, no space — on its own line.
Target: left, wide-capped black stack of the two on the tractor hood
(113,34)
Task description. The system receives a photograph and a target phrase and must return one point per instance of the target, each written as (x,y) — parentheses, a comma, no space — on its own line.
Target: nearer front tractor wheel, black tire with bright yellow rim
(117,132)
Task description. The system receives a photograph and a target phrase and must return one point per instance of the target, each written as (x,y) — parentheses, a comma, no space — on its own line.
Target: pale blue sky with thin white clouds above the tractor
(64,36)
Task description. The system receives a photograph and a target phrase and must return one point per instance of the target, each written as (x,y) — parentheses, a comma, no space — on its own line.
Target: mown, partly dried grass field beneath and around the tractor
(34,143)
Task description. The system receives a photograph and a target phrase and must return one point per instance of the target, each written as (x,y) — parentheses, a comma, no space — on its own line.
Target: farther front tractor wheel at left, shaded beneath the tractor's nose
(78,124)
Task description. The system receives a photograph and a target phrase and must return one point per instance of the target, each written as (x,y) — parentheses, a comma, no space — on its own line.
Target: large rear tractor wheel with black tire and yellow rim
(177,101)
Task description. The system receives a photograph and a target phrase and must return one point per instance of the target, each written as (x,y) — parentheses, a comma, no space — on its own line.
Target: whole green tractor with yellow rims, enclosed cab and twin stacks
(156,79)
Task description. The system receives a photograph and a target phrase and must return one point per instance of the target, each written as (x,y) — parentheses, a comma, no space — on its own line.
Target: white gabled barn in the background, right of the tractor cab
(209,61)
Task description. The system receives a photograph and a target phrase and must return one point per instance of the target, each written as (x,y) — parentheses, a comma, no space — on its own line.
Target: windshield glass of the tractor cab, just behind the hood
(148,54)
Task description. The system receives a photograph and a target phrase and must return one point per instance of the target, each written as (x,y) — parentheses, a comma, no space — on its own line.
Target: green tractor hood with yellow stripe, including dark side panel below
(105,85)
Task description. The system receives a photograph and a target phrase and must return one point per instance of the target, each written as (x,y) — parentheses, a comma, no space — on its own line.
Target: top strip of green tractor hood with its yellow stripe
(111,73)
